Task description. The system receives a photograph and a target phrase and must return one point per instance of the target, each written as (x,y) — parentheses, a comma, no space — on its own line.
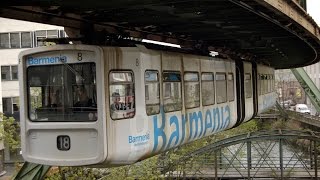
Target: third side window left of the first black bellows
(207,89)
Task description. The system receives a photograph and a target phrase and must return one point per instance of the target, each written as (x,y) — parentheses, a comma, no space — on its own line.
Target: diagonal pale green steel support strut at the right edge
(309,87)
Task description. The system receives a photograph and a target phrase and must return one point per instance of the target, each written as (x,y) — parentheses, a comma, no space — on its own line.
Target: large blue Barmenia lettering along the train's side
(200,125)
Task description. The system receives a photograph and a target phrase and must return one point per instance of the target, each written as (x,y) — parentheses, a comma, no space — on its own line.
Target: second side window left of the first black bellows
(221,85)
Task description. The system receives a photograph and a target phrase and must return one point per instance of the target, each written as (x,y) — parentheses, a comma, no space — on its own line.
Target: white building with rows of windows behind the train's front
(16,36)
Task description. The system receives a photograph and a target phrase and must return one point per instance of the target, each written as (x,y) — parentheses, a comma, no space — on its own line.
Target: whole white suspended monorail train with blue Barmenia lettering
(108,106)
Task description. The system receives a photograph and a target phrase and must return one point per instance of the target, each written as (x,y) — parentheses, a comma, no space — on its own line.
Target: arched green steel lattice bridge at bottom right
(277,154)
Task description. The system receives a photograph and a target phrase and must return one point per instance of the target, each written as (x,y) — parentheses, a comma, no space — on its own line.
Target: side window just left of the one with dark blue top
(152,90)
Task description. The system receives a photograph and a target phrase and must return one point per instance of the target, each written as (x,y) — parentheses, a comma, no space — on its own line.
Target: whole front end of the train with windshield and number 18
(62,121)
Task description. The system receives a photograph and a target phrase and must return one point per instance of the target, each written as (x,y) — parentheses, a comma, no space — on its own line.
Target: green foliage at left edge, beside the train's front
(10,132)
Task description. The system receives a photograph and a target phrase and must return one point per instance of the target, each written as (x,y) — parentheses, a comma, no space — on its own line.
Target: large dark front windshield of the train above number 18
(64,92)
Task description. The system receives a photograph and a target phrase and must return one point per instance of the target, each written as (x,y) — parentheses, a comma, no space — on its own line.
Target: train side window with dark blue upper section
(172,91)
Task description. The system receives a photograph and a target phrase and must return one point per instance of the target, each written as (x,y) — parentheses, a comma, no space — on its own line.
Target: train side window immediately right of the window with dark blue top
(191,89)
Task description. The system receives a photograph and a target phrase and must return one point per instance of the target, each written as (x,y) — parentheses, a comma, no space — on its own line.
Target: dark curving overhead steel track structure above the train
(278,33)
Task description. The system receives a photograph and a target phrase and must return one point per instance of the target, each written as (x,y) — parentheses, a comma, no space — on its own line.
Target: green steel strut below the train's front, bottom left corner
(31,171)
